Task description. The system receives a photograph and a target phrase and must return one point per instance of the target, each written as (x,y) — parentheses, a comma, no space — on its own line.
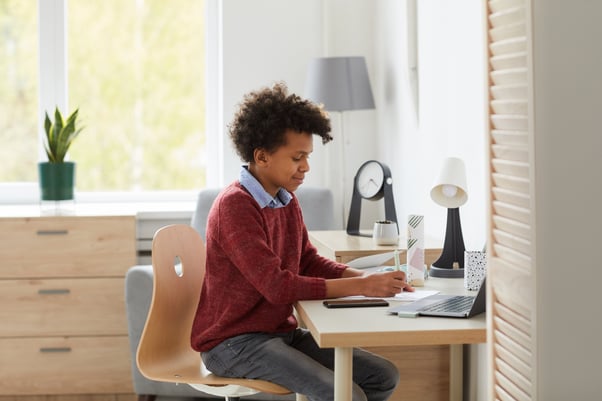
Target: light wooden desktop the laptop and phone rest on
(373,327)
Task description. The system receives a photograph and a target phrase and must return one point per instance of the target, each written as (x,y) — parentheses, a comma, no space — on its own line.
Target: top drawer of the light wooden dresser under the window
(67,246)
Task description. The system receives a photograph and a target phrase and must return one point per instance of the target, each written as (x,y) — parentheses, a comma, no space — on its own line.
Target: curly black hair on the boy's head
(266,114)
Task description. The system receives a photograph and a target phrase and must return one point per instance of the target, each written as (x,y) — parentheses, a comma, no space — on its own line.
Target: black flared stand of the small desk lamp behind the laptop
(451,262)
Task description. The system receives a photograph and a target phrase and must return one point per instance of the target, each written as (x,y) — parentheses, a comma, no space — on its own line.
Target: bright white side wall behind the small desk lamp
(449,117)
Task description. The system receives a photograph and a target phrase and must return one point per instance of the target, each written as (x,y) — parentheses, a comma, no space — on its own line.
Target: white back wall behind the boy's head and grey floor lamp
(268,40)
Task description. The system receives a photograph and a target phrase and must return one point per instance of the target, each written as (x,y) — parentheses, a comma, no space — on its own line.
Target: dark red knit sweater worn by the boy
(259,262)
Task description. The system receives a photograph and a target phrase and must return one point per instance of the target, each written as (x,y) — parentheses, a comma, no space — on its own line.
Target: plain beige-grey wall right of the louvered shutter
(567,60)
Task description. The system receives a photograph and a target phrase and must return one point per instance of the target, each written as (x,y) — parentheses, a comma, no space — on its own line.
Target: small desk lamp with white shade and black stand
(449,191)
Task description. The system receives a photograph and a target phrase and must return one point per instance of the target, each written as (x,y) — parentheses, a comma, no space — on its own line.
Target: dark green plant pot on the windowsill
(56,180)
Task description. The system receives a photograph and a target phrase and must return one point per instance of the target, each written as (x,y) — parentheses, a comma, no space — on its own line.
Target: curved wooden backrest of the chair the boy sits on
(178,268)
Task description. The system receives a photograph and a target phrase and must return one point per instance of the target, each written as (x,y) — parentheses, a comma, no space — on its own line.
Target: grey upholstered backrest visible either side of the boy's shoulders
(316,203)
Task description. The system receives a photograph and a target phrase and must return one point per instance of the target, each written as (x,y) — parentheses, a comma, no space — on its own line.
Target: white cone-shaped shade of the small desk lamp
(450,188)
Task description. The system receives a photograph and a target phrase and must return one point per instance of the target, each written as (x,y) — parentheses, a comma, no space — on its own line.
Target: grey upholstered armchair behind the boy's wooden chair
(318,212)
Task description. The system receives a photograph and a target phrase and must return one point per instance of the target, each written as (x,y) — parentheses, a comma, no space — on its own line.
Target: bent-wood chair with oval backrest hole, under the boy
(164,352)
